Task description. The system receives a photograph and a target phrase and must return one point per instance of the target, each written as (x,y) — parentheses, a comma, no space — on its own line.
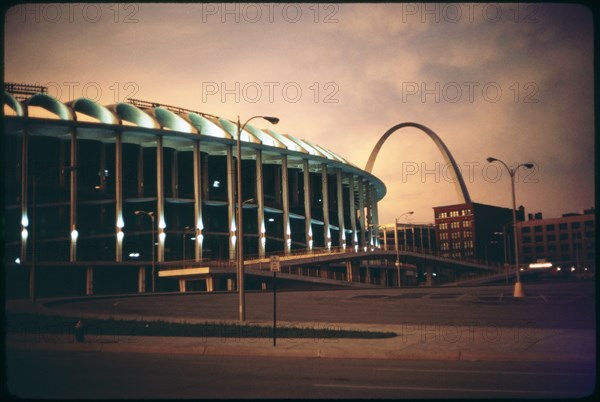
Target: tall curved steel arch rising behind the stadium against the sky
(461,188)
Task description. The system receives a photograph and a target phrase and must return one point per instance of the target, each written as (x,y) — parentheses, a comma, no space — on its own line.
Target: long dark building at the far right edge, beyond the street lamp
(568,242)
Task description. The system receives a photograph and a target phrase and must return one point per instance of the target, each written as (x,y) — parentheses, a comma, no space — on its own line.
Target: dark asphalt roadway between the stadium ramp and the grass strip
(565,305)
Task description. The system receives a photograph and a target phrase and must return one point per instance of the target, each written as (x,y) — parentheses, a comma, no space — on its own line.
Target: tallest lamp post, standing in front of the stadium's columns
(240,233)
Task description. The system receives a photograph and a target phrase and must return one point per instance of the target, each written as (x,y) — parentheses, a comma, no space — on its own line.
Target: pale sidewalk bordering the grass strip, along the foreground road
(413,342)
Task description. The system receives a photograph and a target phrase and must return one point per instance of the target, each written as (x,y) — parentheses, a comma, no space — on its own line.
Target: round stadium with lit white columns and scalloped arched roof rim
(107,190)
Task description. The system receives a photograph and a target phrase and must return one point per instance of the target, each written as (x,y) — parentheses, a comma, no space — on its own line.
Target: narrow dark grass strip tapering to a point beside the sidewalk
(46,324)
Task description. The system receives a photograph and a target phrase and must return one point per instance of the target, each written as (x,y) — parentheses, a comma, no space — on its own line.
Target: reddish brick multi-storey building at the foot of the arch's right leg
(477,231)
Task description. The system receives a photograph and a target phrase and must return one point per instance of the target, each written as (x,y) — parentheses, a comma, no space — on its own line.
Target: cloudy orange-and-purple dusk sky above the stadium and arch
(510,81)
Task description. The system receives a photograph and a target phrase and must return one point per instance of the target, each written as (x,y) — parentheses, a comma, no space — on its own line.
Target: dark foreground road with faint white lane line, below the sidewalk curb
(53,374)
